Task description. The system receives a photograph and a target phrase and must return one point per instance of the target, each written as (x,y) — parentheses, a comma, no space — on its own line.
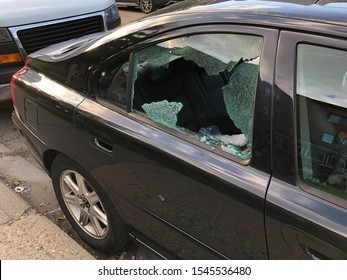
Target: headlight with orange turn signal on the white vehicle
(9,53)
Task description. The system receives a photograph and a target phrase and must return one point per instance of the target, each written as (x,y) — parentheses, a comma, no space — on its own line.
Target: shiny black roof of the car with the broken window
(328,11)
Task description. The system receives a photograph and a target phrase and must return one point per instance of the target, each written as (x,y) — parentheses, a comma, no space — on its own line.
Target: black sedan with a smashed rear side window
(215,131)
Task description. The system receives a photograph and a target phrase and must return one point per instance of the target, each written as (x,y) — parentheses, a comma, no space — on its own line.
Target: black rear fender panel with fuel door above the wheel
(42,123)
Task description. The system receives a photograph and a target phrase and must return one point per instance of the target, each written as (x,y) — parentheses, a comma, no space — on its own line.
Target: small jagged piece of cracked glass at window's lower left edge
(163,112)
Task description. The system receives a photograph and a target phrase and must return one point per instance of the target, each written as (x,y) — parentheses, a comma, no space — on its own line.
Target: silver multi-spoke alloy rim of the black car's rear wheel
(83,204)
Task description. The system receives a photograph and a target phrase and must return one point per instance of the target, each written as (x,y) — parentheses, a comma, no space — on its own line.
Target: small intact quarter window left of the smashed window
(111,84)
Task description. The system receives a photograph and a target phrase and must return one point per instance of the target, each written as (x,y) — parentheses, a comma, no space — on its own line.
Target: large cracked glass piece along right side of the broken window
(239,97)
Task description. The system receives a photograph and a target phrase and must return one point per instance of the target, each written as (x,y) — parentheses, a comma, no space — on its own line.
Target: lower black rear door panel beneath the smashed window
(153,189)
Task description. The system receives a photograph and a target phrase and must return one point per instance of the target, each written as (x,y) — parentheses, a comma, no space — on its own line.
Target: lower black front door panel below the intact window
(302,226)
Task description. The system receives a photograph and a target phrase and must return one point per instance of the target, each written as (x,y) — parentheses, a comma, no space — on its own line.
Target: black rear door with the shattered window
(176,185)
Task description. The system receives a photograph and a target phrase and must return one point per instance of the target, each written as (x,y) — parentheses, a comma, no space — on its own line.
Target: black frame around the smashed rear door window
(269,37)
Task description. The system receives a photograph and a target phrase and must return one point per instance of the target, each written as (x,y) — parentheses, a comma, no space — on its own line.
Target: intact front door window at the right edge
(321,90)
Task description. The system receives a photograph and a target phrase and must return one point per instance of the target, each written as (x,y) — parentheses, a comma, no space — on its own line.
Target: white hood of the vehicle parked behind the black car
(21,12)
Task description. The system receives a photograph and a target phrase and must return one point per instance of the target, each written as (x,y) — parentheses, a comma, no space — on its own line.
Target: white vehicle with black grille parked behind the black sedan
(27,28)
